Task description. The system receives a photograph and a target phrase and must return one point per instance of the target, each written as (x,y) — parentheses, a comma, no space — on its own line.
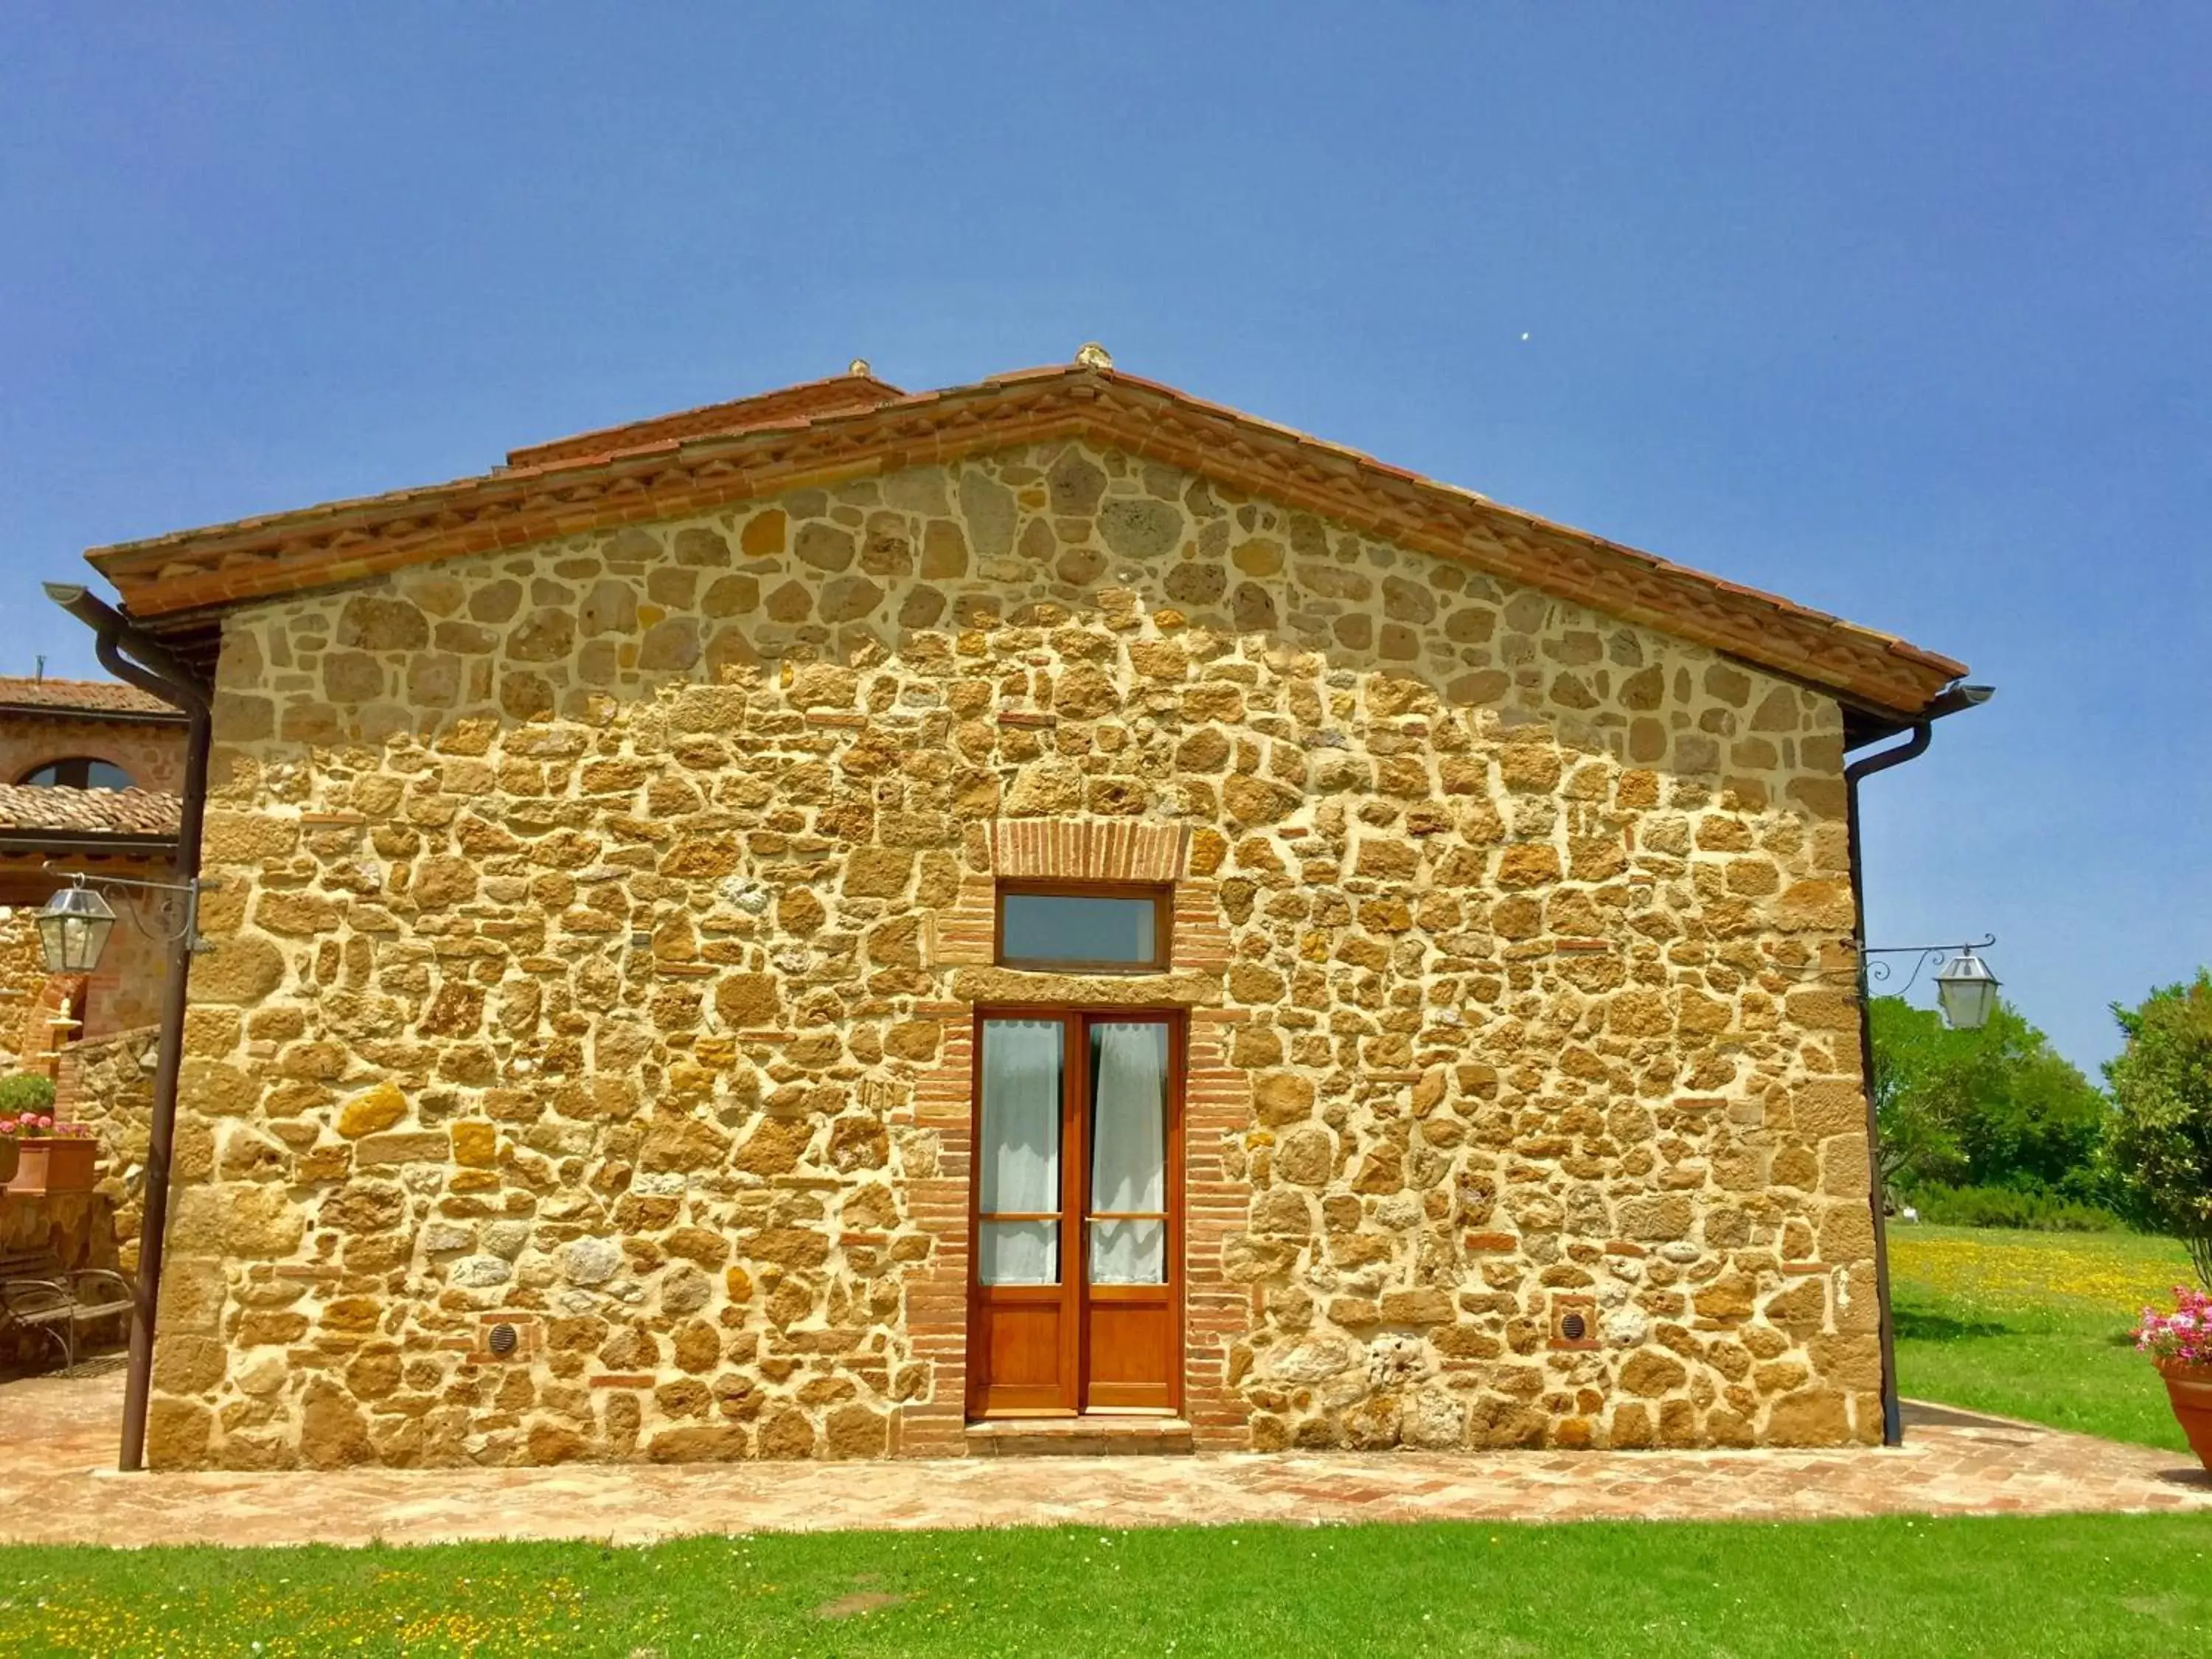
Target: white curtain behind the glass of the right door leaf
(1129,1151)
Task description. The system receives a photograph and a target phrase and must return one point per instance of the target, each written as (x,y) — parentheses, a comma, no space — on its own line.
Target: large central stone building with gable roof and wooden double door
(853,926)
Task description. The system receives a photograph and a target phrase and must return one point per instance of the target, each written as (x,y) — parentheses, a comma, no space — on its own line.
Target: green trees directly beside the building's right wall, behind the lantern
(1994,1107)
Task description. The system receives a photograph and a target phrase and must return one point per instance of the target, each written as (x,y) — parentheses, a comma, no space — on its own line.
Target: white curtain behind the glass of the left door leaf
(1021,1151)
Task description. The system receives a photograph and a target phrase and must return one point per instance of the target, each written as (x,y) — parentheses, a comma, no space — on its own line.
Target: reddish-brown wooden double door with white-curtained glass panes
(1076,1291)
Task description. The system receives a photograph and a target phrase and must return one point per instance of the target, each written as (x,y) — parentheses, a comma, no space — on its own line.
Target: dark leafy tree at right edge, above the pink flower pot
(2162,1138)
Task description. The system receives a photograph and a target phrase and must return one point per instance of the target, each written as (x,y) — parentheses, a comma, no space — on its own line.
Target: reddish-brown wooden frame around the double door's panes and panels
(1074,1198)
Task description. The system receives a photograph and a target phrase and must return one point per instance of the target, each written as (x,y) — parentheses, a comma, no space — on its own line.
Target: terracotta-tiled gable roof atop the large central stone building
(735,452)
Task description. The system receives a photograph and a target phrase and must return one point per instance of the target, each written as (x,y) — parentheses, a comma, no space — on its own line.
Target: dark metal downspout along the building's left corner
(163,676)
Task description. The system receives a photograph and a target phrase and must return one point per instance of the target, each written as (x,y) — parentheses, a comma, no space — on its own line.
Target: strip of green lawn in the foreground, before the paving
(2114,1585)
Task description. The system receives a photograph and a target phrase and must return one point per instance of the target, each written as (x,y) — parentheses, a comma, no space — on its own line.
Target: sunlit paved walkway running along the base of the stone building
(59,1488)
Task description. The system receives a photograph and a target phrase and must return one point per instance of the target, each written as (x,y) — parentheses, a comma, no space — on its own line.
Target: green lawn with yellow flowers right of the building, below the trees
(2034,1326)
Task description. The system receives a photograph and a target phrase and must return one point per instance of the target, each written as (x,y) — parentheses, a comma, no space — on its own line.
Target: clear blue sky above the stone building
(1906,317)
